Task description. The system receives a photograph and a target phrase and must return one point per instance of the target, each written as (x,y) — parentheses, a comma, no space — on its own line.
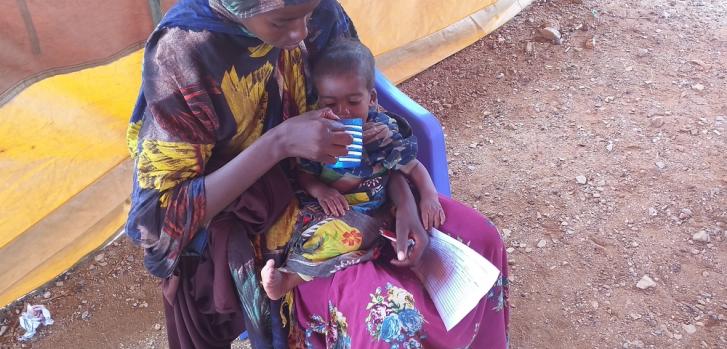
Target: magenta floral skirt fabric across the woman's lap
(377,305)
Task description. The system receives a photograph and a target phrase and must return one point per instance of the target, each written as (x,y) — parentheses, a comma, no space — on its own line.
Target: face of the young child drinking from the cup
(346,94)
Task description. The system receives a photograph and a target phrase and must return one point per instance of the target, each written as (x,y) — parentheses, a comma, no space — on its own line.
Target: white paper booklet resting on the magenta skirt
(455,276)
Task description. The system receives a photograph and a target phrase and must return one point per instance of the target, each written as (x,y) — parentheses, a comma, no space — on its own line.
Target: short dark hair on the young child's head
(346,56)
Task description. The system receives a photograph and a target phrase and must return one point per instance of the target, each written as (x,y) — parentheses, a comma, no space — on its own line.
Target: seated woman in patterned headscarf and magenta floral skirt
(224,103)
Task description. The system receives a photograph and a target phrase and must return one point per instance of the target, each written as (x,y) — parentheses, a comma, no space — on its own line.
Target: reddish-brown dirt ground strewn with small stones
(602,160)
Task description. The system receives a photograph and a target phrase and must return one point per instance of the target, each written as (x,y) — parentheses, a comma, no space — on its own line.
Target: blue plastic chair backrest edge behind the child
(430,137)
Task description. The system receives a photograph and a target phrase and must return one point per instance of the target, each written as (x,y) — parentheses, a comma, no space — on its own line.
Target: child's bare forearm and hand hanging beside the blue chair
(430,209)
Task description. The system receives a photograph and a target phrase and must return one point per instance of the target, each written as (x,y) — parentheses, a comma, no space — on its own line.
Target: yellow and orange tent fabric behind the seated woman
(69,75)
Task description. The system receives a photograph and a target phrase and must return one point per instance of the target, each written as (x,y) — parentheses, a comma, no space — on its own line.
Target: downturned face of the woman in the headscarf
(285,27)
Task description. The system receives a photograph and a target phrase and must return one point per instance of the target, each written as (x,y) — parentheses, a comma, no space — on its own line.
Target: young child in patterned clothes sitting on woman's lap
(339,223)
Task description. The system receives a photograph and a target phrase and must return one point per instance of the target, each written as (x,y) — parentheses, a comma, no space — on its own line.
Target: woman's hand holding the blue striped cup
(315,135)
